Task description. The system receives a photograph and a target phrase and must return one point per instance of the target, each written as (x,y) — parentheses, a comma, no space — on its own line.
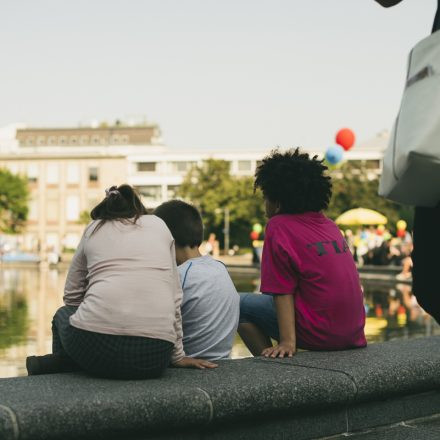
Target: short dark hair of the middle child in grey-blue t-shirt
(184,222)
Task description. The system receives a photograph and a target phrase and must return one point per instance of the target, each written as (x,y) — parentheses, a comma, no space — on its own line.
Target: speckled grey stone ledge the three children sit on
(311,395)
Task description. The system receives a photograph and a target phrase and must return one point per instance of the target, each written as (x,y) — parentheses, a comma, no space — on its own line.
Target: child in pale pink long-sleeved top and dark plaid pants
(122,298)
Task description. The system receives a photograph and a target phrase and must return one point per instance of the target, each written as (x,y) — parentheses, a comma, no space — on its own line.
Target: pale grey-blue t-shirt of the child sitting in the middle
(210,308)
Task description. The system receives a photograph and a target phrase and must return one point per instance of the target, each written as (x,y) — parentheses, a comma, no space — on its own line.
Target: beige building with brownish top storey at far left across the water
(67,171)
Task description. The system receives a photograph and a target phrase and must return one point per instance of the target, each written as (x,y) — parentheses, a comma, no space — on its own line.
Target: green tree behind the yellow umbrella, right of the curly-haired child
(355,186)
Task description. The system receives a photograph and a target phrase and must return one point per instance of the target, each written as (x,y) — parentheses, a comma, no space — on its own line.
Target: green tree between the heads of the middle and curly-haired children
(212,189)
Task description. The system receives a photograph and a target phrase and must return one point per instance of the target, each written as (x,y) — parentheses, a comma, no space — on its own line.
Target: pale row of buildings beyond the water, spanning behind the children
(68,170)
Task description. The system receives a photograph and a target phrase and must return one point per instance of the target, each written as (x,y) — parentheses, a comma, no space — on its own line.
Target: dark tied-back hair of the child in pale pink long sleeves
(121,203)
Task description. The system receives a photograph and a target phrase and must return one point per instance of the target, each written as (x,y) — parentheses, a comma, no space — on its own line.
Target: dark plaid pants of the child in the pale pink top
(111,356)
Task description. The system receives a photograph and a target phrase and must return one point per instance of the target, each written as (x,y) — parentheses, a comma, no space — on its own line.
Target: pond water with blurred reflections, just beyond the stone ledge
(29,297)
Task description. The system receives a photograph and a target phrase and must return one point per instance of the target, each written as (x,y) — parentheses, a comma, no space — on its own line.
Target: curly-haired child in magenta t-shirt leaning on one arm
(312,298)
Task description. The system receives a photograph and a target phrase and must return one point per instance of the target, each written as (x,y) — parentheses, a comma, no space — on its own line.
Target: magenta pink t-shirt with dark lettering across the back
(306,256)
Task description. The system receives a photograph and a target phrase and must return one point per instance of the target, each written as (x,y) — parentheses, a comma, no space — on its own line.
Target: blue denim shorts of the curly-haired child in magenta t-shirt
(259,309)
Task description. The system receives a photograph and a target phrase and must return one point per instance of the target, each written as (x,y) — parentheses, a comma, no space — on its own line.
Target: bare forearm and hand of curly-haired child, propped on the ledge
(285,305)
